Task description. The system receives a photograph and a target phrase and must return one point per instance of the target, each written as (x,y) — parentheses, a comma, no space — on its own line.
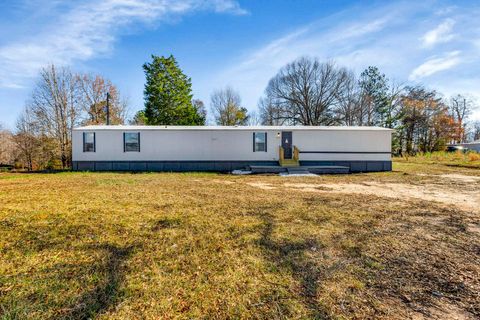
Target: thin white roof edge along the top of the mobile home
(227,128)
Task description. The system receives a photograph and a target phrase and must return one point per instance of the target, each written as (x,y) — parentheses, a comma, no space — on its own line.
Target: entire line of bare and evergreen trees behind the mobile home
(304,92)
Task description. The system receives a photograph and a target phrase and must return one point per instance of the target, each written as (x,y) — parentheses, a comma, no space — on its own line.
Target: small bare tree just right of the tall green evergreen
(226,108)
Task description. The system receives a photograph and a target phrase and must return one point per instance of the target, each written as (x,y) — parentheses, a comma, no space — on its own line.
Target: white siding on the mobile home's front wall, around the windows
(233,145)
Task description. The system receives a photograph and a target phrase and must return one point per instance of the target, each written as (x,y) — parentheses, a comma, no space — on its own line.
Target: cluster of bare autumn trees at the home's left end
(60,100)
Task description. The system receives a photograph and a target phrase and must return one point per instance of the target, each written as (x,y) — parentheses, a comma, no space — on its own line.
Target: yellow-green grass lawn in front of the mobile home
(188,246)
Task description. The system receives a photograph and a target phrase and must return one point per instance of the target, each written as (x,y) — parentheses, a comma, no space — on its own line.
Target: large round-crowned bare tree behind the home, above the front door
(307,91)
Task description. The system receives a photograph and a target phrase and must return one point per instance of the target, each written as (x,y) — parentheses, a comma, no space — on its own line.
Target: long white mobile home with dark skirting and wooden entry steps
(217,148)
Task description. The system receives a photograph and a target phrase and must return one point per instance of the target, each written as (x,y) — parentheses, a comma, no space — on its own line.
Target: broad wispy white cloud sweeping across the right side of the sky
(384,36)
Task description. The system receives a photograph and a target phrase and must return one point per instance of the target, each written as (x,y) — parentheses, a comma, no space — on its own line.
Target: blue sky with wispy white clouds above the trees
(237,43)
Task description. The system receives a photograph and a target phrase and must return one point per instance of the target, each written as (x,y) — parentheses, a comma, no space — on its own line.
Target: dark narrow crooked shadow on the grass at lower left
(106,293)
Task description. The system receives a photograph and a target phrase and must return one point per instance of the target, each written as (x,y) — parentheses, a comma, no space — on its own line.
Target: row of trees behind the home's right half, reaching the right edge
(309,92)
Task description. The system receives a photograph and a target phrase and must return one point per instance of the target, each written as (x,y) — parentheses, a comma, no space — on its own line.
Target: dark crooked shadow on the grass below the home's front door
(291,255)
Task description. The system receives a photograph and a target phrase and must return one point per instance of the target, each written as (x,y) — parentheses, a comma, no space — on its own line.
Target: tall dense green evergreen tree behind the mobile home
(168,94)
